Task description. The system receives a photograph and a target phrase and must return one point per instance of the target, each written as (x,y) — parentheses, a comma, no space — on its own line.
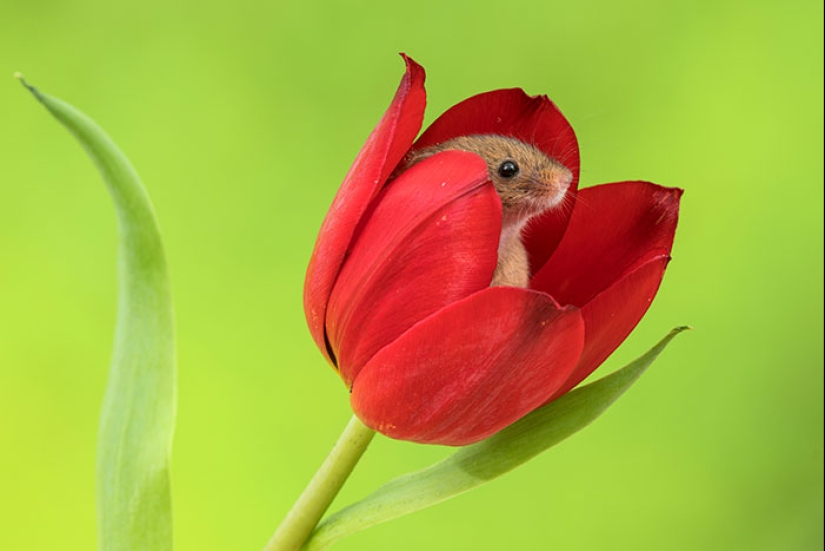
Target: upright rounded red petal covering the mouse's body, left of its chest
(431,240)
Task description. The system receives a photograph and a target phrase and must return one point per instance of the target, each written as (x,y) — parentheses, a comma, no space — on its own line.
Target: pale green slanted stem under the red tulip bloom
(322,489)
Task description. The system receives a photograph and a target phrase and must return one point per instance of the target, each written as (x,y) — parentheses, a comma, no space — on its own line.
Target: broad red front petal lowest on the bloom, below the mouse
(471,369)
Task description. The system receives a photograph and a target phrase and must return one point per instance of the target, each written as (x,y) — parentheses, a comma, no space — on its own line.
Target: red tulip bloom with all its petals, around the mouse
(398,294)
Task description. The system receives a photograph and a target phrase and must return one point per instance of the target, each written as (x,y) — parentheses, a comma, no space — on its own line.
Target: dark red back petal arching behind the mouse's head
(534,120)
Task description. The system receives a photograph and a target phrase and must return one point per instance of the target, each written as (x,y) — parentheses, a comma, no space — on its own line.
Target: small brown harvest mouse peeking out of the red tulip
(528,183)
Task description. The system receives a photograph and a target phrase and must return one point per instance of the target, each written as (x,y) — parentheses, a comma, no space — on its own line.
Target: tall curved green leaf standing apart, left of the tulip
(138,414)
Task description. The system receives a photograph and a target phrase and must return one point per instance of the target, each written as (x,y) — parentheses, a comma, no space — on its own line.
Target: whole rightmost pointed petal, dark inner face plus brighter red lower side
(610,263)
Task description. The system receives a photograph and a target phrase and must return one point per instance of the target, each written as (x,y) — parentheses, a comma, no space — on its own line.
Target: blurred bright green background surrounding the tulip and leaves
(243,117)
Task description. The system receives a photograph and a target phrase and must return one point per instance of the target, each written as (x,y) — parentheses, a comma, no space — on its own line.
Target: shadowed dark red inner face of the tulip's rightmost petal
(614,227)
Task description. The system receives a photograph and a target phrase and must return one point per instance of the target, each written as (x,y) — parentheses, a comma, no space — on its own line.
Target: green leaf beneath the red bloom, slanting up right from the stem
(475,465)
